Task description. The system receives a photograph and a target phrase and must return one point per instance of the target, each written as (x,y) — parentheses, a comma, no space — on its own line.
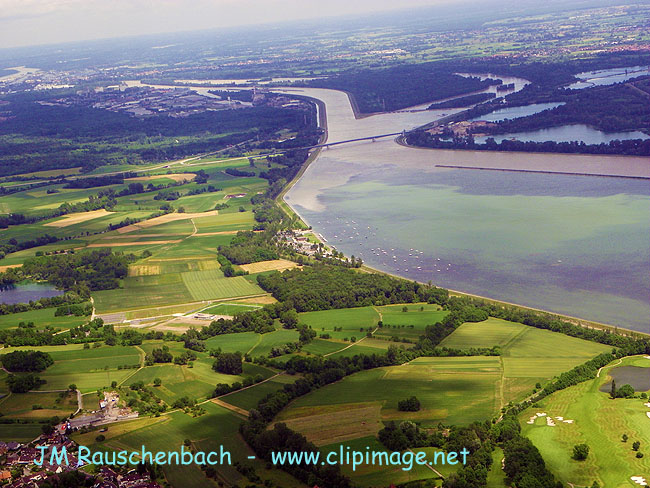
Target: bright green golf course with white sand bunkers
(598,421)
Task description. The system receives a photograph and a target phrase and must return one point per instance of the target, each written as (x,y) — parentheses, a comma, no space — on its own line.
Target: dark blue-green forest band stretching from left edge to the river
(37,137)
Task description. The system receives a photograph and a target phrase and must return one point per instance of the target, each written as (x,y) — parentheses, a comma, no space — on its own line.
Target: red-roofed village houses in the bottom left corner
(19,468)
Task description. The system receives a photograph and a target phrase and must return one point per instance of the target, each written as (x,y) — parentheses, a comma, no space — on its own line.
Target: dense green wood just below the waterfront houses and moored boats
(323,287)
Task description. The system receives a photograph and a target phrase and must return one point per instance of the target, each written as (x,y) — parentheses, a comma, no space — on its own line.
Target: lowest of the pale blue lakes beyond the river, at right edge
(567,133)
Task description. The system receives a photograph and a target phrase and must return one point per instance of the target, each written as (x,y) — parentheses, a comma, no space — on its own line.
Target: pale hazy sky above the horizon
(35,22)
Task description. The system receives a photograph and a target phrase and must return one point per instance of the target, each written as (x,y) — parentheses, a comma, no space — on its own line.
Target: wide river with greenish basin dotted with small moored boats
(577,245)
